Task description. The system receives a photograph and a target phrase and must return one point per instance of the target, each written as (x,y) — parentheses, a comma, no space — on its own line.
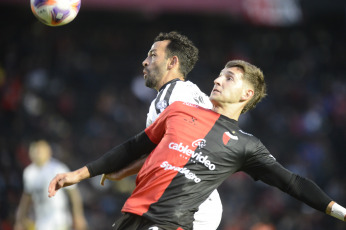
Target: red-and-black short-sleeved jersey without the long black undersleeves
(197,149)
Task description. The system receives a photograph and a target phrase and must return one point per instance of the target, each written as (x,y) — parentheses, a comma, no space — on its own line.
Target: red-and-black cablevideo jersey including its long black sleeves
(192,151)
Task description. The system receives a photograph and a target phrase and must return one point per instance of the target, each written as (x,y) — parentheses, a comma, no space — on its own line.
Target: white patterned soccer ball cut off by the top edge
(55,12)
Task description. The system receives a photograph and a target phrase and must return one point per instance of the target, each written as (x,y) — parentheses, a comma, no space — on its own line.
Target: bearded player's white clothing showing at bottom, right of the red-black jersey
(209,215)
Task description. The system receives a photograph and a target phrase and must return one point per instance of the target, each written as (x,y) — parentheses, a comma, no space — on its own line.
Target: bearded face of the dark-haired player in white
(155,65)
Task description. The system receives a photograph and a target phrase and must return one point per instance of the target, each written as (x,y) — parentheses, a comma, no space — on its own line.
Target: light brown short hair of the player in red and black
(255,77)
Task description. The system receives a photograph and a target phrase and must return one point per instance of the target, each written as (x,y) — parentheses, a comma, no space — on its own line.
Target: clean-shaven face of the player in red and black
(229,87)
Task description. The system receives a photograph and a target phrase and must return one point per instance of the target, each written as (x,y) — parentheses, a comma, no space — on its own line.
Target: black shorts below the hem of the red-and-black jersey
(134,222)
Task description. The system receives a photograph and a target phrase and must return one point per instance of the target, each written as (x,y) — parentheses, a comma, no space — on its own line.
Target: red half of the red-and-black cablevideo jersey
(152,180)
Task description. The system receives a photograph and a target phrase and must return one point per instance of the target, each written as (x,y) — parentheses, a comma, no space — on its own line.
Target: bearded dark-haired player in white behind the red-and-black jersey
(170,59)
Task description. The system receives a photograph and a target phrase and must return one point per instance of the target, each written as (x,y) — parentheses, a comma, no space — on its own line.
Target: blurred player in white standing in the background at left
(52,214)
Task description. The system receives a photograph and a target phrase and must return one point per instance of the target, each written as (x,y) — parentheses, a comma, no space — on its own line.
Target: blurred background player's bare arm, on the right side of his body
(77,209)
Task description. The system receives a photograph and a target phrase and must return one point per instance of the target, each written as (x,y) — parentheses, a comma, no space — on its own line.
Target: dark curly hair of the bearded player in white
(182,47)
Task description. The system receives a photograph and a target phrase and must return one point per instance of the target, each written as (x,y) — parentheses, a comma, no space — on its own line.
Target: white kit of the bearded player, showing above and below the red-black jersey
(209,215)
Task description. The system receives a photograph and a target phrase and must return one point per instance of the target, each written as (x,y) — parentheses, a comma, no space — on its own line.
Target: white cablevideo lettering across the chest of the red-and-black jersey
(194,156)
